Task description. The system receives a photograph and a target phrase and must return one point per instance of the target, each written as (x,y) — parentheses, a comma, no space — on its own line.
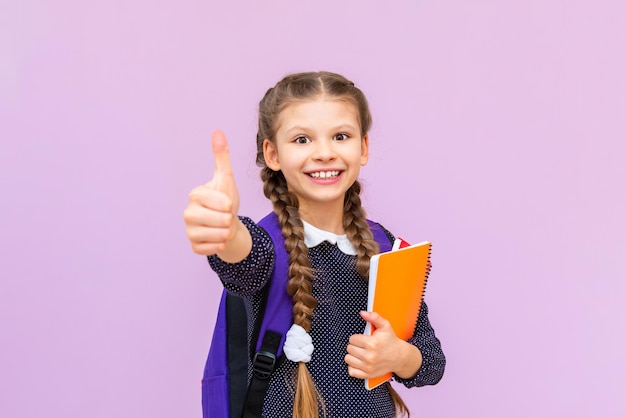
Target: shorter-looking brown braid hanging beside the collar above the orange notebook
(358,230)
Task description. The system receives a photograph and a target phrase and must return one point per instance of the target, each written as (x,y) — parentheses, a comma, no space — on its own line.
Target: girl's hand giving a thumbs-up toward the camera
(211,215)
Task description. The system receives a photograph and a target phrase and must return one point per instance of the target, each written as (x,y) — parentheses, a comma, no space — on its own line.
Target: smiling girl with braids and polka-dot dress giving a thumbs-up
(311,143)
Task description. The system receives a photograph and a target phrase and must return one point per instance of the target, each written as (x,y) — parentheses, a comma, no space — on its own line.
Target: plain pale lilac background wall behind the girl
(498,134)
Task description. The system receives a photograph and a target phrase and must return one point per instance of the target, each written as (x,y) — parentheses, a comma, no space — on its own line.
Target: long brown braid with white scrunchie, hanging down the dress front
(300,285)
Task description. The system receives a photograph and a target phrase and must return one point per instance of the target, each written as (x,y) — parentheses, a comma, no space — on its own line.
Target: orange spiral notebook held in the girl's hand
(397,282)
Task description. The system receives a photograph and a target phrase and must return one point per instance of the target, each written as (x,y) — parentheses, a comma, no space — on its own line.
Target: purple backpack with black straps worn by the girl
(225,389)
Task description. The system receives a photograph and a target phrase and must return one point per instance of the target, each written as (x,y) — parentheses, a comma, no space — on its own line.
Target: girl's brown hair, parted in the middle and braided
(292,89)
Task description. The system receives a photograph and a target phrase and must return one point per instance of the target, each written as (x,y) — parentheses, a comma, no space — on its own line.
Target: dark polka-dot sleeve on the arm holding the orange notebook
(433,359)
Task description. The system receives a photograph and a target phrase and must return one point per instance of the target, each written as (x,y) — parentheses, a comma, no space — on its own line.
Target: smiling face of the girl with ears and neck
(320,150)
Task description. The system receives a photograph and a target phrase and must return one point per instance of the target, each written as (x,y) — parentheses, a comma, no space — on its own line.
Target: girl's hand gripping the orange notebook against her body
(370,356)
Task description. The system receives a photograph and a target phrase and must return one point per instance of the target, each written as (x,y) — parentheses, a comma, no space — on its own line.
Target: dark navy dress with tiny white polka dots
(341,293)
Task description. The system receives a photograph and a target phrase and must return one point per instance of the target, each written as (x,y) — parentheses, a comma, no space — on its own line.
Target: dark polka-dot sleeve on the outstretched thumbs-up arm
(250,275)
